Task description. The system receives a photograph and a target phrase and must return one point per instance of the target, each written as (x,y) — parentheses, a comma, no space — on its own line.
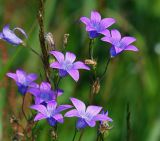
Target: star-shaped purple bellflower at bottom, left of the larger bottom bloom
(51,112)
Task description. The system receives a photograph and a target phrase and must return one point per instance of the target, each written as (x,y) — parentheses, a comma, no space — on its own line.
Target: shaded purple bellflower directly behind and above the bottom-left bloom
(44,93)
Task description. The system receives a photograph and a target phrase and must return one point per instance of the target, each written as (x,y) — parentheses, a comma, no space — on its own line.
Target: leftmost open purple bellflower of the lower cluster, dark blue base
(23,80)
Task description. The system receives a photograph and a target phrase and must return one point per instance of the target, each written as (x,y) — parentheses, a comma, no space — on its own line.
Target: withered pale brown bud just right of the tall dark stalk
(50,41)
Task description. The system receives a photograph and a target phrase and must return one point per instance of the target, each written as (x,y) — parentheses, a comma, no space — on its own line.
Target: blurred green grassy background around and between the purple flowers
(132,78)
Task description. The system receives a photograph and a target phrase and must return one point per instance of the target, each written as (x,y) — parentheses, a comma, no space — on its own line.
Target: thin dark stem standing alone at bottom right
(128,122)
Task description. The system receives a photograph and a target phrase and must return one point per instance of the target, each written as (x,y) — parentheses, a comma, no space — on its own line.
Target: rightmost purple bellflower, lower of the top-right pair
(119,44)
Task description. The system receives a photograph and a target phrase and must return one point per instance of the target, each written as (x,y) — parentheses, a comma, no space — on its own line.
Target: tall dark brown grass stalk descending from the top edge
(45,56)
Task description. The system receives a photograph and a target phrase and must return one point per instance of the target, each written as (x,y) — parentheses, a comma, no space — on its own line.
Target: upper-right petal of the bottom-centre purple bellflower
(93,110)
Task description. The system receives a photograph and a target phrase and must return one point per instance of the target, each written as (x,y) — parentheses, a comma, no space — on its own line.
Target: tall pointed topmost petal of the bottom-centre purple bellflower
(79,105)
